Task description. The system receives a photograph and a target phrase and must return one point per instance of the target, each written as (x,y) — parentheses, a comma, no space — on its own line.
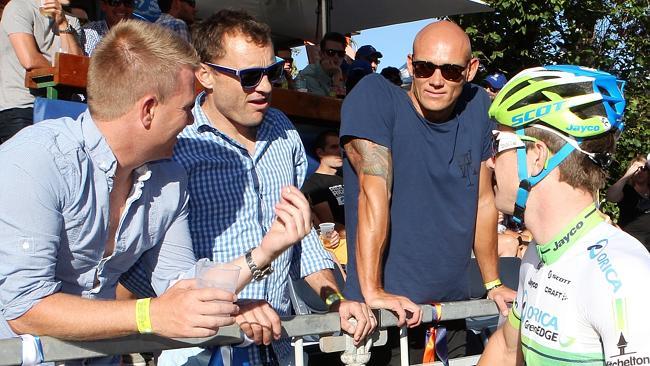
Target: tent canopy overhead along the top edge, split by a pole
(299,20)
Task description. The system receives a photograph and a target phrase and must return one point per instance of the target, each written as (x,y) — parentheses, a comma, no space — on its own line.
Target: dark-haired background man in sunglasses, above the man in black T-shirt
(325,77)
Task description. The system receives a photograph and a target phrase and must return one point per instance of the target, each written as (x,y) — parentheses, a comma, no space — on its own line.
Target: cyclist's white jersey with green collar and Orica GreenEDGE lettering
(584,297)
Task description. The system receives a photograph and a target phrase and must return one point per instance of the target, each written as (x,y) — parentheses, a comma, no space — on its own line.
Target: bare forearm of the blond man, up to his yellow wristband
(71,317)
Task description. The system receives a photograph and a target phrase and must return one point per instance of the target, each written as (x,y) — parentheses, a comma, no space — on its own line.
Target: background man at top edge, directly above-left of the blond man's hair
(114,11)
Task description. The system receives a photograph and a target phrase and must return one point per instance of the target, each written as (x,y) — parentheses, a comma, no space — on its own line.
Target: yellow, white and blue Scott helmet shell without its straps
(574,100)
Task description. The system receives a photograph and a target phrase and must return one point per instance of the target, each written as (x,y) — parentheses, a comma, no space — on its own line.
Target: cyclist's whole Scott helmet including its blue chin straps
(572,102)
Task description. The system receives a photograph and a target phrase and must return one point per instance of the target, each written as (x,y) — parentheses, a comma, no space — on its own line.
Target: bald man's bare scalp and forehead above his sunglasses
(443,36)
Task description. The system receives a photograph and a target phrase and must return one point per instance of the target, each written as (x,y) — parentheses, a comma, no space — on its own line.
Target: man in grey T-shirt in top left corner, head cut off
(29,40)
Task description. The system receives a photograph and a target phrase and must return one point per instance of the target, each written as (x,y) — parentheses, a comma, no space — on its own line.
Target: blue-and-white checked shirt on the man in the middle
(232,195)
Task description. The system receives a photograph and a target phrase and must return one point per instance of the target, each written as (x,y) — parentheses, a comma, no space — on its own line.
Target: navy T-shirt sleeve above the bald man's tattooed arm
(368,112)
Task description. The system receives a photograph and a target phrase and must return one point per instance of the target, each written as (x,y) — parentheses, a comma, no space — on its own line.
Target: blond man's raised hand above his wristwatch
(292,223)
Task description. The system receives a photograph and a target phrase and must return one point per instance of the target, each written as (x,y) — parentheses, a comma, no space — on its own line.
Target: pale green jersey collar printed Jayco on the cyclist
(551,251)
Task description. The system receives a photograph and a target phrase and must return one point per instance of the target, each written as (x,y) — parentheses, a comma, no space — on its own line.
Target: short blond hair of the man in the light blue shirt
(133,59)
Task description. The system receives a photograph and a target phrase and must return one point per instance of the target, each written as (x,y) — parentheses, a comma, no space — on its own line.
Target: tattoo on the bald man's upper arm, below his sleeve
(371,159)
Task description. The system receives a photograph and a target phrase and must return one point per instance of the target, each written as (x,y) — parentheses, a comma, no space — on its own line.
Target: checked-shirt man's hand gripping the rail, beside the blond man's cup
(259,321)
